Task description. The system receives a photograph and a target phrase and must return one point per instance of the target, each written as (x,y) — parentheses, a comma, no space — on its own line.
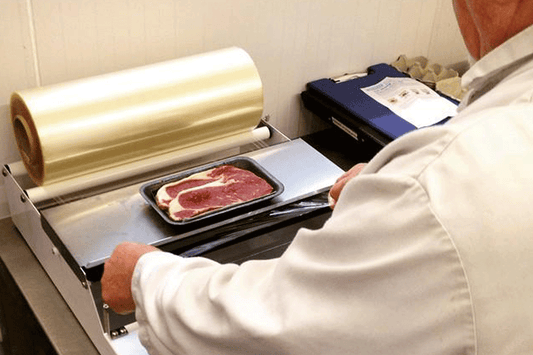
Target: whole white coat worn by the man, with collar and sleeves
(429,250)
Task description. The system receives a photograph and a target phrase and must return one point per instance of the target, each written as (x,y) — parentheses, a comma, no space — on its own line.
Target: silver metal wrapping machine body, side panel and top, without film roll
(72,236)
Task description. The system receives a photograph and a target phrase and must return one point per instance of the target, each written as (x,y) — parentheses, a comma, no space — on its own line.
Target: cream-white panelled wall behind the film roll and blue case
(292,42)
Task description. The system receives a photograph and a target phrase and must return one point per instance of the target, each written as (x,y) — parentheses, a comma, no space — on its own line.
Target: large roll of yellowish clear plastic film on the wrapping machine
(77,128)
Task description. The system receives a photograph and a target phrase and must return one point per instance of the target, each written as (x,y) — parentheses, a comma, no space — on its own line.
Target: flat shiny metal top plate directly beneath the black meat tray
(124,215)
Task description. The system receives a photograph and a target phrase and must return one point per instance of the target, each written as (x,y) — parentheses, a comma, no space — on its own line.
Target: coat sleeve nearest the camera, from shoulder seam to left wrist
(381,277)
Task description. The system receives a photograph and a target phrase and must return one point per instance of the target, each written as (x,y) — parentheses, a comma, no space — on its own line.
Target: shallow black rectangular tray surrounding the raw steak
(149,190)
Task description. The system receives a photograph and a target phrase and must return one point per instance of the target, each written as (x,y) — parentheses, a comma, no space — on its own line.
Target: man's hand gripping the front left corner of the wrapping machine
(118,273)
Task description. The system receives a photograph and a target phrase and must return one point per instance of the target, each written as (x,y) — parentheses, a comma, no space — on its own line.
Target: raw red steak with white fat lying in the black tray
(209,190)
